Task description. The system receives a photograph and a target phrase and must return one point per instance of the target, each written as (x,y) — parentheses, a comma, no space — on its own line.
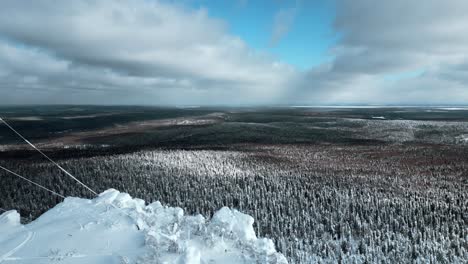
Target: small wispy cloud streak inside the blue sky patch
(283,21)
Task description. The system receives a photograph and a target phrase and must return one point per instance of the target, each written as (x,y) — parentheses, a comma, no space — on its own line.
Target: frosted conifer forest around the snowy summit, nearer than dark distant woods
(320,203)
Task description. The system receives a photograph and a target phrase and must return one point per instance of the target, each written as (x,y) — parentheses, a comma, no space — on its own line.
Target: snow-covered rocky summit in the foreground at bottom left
(116,228)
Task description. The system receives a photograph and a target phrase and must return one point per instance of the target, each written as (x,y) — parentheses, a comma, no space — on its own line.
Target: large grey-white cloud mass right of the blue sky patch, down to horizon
(394,38)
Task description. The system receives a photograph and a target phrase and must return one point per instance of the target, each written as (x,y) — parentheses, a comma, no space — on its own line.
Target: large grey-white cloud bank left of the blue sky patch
(140,47)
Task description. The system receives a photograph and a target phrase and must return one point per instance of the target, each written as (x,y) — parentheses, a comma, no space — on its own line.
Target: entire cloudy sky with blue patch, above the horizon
(203,52)
